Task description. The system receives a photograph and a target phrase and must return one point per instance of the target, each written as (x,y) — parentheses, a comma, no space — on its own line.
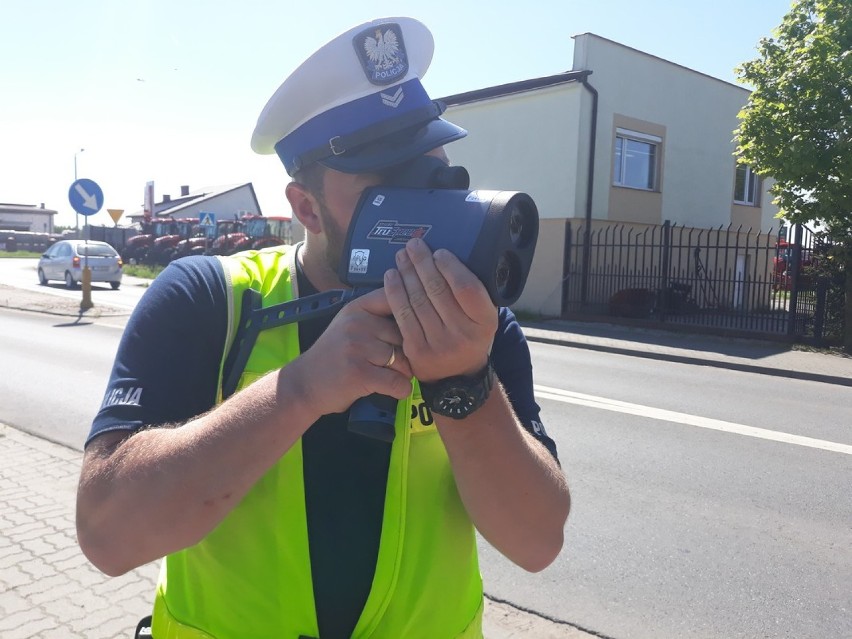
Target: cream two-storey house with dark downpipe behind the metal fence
(623,138)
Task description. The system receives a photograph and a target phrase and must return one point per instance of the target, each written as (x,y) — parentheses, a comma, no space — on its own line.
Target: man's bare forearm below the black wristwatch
(512,488)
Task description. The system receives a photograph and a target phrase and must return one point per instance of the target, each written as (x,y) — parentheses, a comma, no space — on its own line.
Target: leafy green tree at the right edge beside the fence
(797,125)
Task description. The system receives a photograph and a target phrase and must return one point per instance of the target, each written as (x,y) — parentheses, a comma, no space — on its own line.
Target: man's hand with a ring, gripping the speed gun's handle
(350,359)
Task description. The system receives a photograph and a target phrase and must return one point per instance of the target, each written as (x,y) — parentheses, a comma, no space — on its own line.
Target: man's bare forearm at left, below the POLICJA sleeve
(163,489)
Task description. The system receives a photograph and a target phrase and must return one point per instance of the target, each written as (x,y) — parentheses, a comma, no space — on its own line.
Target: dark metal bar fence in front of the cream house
(726,279)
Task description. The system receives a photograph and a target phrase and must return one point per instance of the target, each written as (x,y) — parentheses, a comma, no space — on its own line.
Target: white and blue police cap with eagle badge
(357,105)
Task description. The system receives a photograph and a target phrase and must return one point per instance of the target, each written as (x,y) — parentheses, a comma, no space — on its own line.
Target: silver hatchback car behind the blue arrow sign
(66,259)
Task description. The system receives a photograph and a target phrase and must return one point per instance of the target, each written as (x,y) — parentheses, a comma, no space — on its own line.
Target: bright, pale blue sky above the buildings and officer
(169,90)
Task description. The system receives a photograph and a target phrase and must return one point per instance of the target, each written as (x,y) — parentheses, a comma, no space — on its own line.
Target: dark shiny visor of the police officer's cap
(396,148)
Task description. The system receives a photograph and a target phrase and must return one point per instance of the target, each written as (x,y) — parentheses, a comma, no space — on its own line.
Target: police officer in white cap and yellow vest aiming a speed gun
(274,519)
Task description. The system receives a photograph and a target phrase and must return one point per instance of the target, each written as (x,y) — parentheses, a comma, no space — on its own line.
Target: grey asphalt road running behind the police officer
(681,526)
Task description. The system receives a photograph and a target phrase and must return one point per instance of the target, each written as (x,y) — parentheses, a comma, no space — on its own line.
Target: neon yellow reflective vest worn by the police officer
(250,578)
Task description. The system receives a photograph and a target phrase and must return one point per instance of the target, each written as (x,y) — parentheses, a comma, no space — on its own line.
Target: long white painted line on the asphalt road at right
(605,403)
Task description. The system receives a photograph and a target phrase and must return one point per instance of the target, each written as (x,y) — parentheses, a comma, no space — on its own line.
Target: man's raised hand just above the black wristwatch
(444,313)
